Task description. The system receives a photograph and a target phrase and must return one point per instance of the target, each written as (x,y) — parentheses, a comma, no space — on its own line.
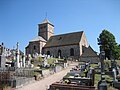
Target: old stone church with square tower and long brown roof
(64,45)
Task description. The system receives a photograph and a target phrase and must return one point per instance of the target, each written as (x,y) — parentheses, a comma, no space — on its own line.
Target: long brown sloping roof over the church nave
(64,39)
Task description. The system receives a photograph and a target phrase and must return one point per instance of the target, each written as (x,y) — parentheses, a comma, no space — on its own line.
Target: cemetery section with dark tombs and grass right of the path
(91,76)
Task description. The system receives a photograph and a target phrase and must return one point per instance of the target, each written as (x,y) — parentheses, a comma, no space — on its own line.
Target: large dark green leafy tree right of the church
(108,43)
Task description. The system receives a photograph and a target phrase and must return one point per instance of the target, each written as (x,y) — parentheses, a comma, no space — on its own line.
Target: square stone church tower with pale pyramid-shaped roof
(46,29)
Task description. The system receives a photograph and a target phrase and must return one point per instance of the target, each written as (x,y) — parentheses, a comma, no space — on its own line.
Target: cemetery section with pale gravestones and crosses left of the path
(20,70)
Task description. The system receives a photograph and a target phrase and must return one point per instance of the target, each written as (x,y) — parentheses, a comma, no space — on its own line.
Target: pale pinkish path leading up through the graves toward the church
(44,83)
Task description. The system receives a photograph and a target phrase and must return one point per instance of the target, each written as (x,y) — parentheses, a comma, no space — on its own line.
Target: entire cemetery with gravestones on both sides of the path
(18,69)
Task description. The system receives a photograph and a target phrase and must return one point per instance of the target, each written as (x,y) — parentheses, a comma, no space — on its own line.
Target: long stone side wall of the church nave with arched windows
(65,51)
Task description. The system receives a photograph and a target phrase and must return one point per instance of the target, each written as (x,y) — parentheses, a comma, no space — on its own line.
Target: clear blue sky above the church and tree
(19,19)
